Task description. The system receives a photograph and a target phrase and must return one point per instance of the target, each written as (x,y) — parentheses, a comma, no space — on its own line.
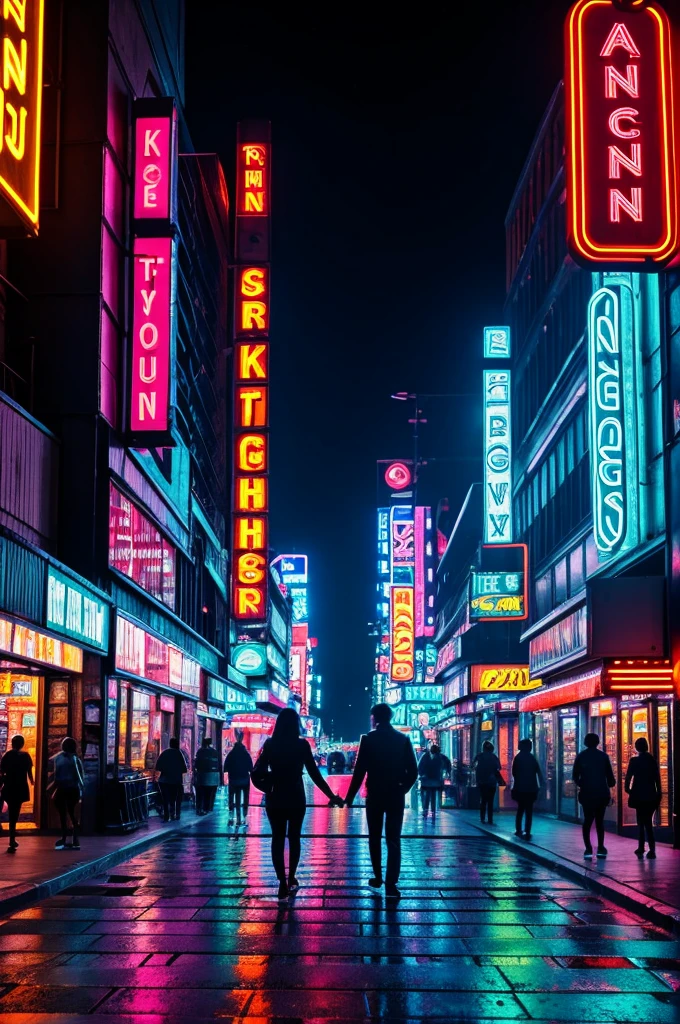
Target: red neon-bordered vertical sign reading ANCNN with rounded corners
(622,203)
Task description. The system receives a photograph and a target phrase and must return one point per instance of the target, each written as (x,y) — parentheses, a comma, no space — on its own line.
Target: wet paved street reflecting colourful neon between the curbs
(191,930)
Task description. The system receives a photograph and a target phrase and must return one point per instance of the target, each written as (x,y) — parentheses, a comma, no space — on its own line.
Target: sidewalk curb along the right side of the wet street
(623,895)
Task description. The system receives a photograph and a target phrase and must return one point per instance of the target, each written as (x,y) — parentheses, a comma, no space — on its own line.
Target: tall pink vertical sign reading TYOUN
(151,334)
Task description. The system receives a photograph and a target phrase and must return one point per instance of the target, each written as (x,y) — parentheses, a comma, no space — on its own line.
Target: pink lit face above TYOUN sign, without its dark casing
(153,167)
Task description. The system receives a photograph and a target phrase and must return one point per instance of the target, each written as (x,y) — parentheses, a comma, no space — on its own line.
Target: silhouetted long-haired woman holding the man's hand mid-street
(279,775)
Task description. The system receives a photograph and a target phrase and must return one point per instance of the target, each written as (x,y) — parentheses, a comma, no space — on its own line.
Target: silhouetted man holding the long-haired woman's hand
(388,762)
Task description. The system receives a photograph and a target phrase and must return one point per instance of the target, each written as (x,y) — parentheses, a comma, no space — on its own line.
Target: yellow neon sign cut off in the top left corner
(21,109)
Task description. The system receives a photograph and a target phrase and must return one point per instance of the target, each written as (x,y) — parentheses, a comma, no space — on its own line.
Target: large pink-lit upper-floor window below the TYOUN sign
(139,550)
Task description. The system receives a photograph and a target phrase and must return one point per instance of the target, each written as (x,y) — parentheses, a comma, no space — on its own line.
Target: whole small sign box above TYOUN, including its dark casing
(155,161)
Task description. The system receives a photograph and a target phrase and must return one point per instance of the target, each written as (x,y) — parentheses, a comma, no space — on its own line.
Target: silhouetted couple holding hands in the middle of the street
(386,759)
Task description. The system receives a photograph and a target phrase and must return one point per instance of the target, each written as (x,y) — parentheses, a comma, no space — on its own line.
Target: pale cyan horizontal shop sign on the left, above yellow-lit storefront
(76,612)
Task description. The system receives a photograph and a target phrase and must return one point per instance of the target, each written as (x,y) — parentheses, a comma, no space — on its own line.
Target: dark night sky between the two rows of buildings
(397,149)
